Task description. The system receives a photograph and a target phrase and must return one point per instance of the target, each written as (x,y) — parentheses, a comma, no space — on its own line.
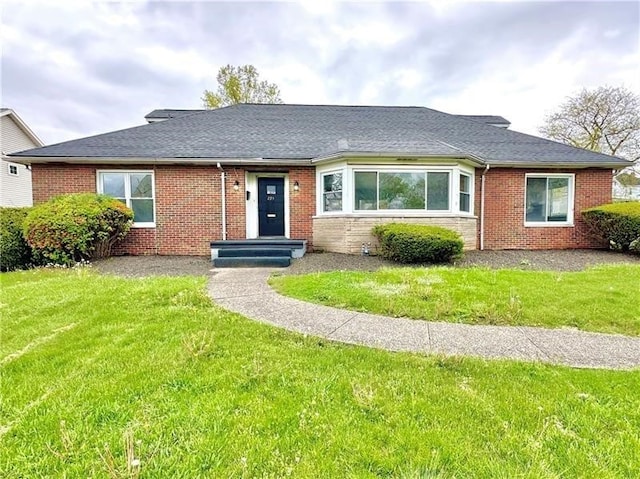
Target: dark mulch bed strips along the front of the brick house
(555,260)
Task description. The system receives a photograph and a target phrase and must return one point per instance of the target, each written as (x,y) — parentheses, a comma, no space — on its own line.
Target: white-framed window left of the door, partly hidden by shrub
(135,189)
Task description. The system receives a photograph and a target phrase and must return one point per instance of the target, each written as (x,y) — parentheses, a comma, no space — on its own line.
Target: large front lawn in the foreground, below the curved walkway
(113,377)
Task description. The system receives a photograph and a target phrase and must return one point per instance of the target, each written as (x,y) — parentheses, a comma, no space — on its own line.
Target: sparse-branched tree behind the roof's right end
(606,120)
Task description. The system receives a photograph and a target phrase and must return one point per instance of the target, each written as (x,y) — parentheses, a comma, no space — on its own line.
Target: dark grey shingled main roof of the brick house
(301,132)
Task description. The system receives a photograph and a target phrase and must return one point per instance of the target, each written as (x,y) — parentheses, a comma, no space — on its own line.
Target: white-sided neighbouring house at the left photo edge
(15,178)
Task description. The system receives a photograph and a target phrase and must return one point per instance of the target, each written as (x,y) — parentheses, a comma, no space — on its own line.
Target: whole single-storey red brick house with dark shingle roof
(328,174)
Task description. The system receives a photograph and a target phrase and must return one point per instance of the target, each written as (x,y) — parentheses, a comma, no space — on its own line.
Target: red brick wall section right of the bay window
(504,210)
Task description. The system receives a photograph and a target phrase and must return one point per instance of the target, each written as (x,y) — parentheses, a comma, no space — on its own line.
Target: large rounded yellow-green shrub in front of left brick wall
(76,227)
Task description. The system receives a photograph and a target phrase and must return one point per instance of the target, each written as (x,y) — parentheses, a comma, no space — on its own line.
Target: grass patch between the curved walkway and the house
(601,299)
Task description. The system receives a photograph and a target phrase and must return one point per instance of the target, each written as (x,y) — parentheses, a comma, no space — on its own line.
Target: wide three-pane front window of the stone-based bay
(381,190)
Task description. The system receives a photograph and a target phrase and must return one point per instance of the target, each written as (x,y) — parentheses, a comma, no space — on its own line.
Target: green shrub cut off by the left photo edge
(15,253)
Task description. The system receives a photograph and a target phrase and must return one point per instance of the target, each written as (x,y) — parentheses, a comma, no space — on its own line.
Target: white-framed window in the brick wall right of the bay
(549,199)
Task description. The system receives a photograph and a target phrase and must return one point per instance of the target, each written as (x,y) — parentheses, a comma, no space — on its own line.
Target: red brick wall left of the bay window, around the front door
(188,204)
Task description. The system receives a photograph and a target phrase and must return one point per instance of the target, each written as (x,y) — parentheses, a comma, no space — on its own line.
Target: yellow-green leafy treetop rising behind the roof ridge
(240,85)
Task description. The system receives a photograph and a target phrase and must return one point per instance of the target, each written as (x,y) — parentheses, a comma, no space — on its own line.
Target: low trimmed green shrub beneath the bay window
(407,243)
